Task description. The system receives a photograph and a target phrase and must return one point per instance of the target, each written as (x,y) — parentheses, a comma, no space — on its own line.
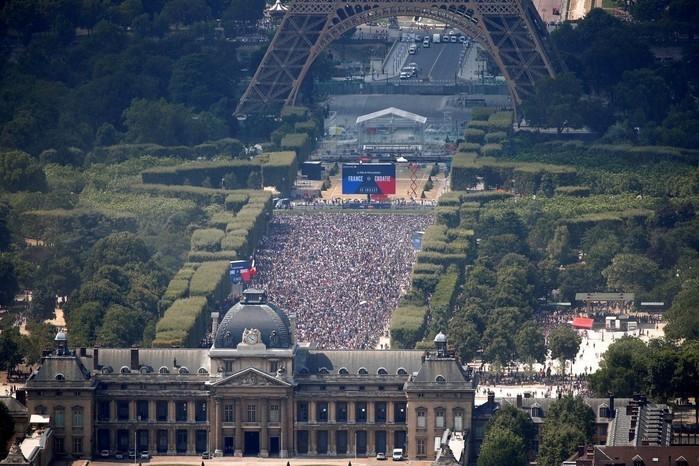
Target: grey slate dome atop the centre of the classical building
(253,312)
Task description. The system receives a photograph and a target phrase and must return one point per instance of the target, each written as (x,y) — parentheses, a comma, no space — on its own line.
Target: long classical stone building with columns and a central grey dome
(256,391)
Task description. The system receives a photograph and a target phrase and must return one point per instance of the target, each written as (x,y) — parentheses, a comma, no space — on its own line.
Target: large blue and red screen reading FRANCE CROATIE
(368,178)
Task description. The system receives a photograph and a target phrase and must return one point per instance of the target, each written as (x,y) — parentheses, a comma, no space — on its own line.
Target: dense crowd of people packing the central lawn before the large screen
(342,274)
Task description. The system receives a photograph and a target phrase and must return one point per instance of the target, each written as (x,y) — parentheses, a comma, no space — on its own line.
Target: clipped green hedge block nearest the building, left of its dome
(184,323)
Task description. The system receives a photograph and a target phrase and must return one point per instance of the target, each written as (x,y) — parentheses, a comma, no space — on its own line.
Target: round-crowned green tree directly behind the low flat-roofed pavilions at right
(631,273)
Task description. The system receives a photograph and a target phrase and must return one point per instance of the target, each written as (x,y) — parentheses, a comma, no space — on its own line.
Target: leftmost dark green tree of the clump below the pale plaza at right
(623,370)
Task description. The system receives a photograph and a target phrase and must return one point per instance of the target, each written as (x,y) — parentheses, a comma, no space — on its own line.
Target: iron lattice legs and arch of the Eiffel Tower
(510,30)
